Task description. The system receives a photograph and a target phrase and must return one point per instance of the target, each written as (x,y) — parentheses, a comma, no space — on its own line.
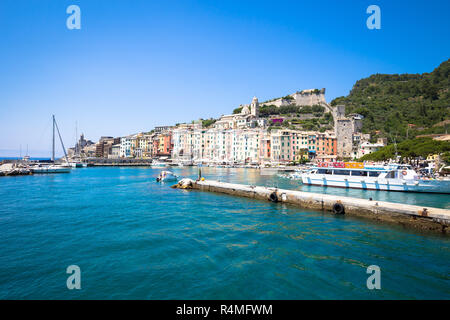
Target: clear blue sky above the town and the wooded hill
(138,64)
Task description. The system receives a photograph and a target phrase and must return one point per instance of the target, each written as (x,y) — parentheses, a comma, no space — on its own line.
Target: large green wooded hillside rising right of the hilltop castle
(390,102)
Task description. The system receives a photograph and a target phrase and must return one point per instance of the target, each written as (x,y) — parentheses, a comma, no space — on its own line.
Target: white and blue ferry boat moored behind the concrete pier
(394,177)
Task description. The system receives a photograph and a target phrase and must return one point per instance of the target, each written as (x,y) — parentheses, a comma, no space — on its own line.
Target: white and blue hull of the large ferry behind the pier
(428,186)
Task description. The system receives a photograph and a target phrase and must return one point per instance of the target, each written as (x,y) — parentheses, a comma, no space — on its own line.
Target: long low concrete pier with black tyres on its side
(424,218)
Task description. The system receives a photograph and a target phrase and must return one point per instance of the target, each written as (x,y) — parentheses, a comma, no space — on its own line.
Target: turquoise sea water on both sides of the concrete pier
(134,238)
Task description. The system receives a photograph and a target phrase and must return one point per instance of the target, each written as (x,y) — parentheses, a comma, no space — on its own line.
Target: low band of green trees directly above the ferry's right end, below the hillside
(411,148)
